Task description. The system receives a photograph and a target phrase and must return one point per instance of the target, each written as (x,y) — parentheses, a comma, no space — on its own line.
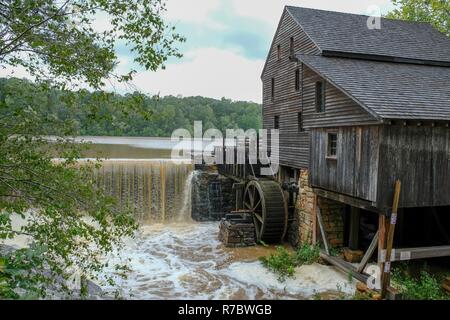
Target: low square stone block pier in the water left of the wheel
(236,232)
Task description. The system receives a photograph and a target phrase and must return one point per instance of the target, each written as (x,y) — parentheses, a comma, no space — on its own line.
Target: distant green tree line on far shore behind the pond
(110,114)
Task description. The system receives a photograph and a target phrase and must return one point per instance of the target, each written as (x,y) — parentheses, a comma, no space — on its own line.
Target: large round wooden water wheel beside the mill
(265,199)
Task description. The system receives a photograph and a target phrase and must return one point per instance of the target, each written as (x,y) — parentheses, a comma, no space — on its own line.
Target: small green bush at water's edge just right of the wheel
(283,263)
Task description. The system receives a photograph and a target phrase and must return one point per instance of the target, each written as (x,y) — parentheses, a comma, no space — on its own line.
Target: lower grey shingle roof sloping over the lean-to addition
(389,90)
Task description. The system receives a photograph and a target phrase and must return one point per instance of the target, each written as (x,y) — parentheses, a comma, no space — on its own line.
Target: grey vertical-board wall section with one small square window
(354,172)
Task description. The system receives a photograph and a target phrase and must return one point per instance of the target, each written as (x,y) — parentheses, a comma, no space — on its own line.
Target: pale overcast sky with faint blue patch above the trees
(227,43)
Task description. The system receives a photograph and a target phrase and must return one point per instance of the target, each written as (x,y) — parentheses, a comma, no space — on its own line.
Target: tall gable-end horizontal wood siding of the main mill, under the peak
(294,145)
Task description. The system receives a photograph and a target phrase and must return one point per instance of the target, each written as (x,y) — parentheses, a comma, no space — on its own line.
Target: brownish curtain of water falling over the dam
(157,191)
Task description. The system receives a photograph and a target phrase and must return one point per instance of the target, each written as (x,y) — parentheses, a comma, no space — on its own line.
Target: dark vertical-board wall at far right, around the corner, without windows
(420,158)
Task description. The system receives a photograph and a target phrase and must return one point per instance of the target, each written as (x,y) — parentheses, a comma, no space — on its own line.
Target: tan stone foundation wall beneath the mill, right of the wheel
(301,229)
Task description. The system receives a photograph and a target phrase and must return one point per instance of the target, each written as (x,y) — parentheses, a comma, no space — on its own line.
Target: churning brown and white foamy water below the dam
(186,261)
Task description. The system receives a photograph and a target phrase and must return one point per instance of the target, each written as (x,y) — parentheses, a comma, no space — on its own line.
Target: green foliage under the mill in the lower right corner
(422,287)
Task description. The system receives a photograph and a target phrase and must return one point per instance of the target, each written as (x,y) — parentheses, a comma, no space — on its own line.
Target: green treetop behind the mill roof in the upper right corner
(435,12)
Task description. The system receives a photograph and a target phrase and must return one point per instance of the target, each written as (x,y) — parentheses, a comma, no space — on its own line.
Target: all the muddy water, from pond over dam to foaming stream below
(171,256)
